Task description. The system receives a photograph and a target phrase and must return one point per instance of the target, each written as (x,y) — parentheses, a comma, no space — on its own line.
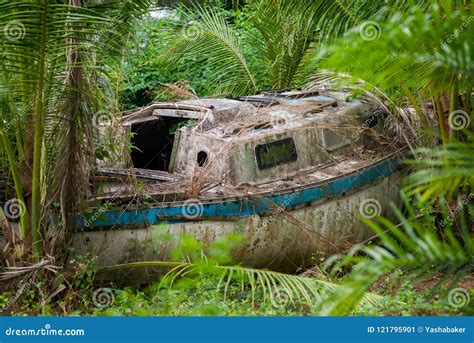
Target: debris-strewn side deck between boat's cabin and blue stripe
(132,187)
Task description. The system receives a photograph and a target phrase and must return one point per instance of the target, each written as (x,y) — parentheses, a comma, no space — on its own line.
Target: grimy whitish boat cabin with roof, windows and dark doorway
(247,140)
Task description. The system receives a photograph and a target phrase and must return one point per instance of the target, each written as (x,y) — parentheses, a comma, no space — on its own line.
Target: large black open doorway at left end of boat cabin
(152,142)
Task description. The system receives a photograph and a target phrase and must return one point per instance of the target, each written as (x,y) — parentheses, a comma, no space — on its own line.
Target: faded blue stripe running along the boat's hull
(247,207)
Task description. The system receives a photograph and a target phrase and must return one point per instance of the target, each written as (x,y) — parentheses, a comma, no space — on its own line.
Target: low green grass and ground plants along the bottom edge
(400,295)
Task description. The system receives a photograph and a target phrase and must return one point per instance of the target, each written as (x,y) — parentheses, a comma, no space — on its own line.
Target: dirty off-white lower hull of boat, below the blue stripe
(284,241)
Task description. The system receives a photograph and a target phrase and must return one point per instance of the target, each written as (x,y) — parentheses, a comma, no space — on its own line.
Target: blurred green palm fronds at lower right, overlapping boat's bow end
(415,247)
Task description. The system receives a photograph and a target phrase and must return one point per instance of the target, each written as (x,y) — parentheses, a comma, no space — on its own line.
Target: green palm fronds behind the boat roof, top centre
(274,48)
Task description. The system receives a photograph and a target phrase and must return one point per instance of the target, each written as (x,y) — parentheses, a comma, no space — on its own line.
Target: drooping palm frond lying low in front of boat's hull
(272,286)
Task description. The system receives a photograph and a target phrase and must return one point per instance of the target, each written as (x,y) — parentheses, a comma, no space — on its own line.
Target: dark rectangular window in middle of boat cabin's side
(275,153)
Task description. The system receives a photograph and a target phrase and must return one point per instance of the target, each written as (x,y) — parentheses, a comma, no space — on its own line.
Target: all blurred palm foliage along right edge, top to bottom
(417,55)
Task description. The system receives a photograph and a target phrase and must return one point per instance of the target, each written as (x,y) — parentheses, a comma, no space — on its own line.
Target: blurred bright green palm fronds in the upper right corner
(419,54)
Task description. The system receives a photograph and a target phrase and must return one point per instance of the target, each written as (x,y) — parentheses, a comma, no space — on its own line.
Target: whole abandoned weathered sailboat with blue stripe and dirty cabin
(290,171)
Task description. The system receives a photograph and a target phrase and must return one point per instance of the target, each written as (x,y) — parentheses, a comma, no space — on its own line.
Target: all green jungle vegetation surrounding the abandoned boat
(66,62)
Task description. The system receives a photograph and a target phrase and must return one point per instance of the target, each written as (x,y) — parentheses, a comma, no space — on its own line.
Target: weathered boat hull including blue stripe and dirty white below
(281,231)
